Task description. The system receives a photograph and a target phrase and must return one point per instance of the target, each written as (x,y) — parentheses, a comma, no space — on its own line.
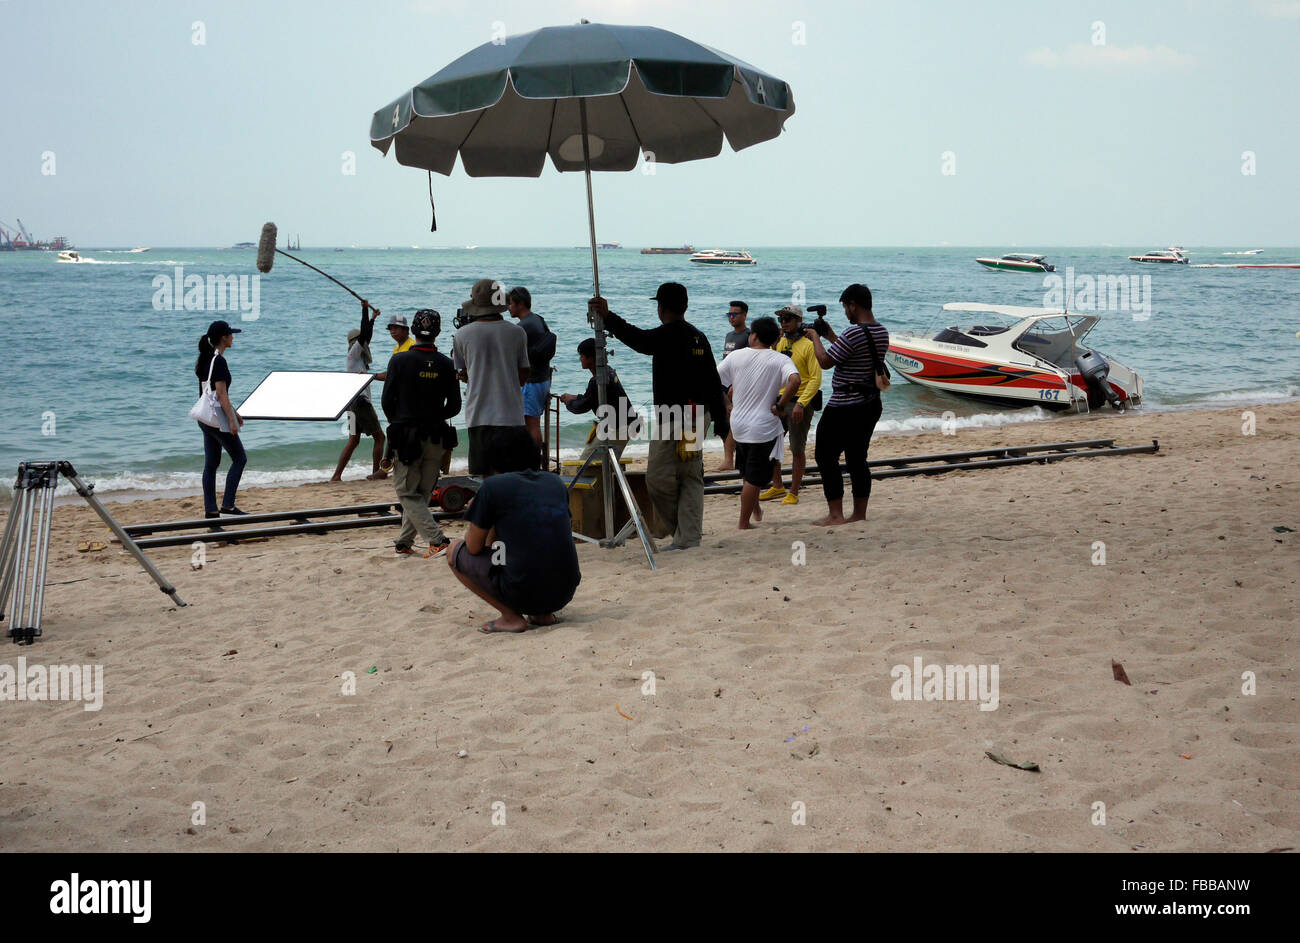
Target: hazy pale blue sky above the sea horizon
(158,141)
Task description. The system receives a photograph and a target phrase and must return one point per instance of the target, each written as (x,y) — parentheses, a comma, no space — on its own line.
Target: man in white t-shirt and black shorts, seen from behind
(761,386)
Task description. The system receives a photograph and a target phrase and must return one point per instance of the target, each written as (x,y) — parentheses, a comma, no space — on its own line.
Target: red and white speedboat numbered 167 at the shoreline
(1017,357)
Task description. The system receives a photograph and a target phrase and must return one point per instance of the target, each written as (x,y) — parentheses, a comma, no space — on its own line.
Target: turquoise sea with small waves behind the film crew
(94,371)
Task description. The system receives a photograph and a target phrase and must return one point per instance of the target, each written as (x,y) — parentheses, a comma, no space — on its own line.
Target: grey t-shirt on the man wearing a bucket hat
(492,354)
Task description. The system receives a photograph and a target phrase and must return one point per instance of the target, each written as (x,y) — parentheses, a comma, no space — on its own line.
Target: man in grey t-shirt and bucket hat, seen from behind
(491,356)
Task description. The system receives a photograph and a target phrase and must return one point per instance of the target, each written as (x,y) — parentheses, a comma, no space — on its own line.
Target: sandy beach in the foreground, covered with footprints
(772,680)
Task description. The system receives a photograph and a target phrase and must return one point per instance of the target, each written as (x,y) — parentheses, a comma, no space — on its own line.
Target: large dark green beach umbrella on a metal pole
(591,97)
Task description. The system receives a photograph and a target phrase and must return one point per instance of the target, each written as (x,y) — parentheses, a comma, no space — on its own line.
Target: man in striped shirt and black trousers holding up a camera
(851,416)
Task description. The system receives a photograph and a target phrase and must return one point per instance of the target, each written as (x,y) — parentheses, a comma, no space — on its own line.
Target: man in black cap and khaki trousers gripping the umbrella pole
(687,393)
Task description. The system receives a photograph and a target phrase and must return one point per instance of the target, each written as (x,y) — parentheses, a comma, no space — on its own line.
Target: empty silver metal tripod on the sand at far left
(23,563)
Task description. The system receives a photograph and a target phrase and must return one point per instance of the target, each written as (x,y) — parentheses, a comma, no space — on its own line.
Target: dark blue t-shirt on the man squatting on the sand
(539,572)
